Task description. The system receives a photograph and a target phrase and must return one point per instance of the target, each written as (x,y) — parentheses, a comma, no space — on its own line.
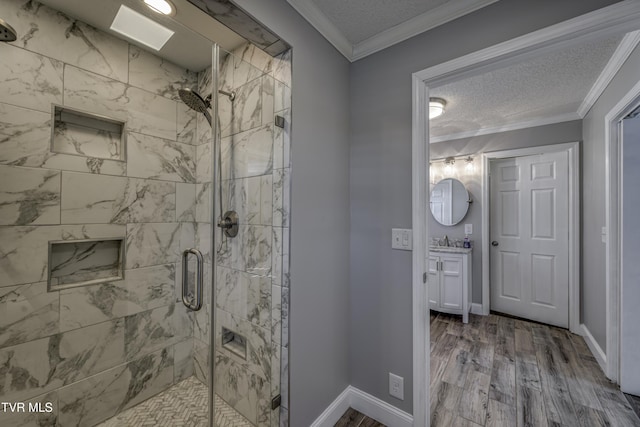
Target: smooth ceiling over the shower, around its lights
(185,48)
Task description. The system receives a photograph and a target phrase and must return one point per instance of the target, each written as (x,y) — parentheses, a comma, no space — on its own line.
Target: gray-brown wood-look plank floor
(497,371)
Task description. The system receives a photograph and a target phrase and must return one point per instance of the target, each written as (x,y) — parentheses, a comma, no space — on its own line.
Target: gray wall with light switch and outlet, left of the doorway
(380,180)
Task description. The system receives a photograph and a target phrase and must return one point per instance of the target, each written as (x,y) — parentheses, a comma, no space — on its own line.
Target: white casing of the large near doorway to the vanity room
(620,17)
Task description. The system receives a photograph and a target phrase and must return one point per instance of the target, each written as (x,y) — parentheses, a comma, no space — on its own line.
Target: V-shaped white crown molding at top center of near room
(414,26)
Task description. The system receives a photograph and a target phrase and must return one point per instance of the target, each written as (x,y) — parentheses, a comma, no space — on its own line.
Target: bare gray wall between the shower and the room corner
(319,342)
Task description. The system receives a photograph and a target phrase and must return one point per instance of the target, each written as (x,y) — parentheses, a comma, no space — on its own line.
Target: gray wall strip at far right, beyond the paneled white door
(593,306)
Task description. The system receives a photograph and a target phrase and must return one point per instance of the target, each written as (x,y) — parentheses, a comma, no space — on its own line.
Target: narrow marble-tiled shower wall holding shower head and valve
(252,287)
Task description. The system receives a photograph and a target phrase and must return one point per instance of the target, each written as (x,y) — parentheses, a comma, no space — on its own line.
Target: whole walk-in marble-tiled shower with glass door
(119,294)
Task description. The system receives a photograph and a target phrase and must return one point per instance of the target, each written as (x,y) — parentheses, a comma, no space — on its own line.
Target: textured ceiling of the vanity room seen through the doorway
(551,85)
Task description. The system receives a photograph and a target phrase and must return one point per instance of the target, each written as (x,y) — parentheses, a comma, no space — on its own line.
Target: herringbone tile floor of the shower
(183,405)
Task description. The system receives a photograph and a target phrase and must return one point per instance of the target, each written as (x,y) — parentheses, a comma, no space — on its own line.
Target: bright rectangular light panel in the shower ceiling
(138,27)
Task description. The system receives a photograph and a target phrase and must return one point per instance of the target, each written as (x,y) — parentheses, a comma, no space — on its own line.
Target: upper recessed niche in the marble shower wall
(85,134)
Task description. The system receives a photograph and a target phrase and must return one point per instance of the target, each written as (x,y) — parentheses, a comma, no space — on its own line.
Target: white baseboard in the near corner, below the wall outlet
(365,403)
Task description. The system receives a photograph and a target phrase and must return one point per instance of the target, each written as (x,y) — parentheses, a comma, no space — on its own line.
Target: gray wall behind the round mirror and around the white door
(541,135)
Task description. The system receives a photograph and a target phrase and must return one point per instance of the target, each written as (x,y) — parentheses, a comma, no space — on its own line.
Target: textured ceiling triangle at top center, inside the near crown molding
(360,19)
